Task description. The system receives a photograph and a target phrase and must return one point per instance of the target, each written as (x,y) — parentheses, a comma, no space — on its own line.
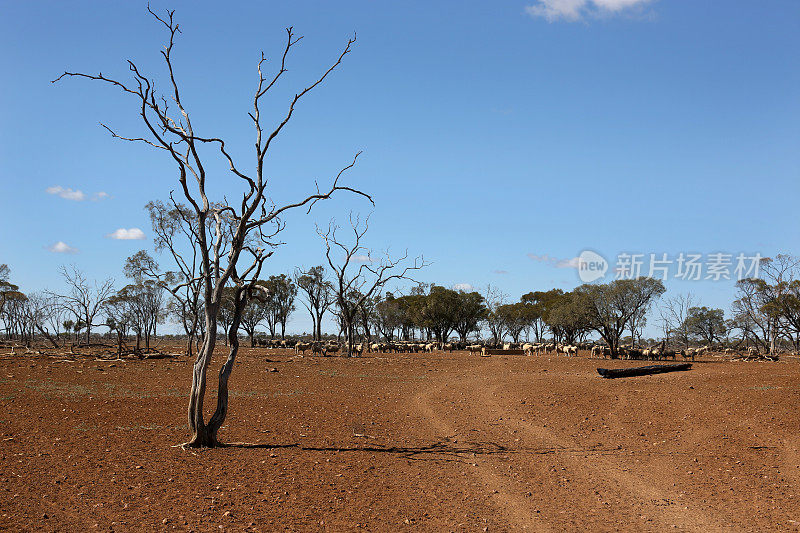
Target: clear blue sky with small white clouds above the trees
(492,131)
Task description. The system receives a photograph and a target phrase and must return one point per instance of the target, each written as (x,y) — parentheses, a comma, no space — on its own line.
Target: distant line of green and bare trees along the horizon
(765,313)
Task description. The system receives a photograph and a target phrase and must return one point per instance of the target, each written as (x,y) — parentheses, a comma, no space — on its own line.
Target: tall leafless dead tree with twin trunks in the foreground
(224,232)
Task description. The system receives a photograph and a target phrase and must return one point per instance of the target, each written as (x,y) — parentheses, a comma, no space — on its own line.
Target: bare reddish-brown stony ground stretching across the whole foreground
(402,442)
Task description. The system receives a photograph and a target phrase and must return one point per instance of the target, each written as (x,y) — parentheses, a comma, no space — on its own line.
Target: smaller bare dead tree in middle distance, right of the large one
(354,285)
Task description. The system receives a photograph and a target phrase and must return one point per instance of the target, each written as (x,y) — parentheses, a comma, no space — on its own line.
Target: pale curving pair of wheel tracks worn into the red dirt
(634,497)
